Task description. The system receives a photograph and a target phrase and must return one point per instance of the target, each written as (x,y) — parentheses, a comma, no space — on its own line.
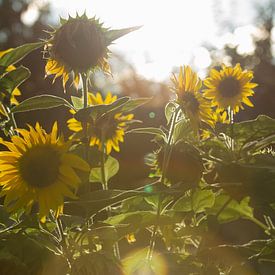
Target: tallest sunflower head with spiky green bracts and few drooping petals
(79,45)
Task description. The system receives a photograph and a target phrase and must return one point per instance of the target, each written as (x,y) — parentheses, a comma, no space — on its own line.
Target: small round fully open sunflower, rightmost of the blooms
(230,87)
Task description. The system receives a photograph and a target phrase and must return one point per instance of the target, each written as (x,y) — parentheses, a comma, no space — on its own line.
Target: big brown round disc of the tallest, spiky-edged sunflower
(79,44)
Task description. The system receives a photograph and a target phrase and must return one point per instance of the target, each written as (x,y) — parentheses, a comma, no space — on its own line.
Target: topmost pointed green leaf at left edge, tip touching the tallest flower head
(17,54)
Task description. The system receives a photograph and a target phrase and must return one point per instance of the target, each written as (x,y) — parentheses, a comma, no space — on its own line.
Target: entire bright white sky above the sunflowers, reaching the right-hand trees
(172,33)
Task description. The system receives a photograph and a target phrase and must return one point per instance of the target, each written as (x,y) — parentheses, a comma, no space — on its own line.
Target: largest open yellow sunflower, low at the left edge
(38,168)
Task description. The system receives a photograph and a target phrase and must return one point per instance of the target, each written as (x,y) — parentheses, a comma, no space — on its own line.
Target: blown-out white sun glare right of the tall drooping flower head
(170,35)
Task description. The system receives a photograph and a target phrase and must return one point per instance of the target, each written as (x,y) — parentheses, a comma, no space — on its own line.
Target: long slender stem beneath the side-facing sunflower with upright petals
(166,159)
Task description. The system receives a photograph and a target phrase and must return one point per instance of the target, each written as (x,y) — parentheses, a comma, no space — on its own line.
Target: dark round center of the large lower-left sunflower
(39,167)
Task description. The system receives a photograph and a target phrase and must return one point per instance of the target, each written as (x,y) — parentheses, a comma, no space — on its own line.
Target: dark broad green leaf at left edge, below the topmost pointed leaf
(14,78)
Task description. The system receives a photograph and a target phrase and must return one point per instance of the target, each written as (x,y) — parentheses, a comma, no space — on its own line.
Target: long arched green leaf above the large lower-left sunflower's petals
(41,102)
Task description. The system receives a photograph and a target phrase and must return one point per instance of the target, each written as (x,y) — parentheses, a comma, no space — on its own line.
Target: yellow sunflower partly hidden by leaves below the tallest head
(108,130)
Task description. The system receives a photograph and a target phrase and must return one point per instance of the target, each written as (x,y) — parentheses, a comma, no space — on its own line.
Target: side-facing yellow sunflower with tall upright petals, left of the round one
(187,88)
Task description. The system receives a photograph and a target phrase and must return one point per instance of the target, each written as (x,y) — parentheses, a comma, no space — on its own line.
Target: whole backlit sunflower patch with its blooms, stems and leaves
(211,179)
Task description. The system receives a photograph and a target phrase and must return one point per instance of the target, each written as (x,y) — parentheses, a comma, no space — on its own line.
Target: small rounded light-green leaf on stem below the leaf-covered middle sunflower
(111,168)
